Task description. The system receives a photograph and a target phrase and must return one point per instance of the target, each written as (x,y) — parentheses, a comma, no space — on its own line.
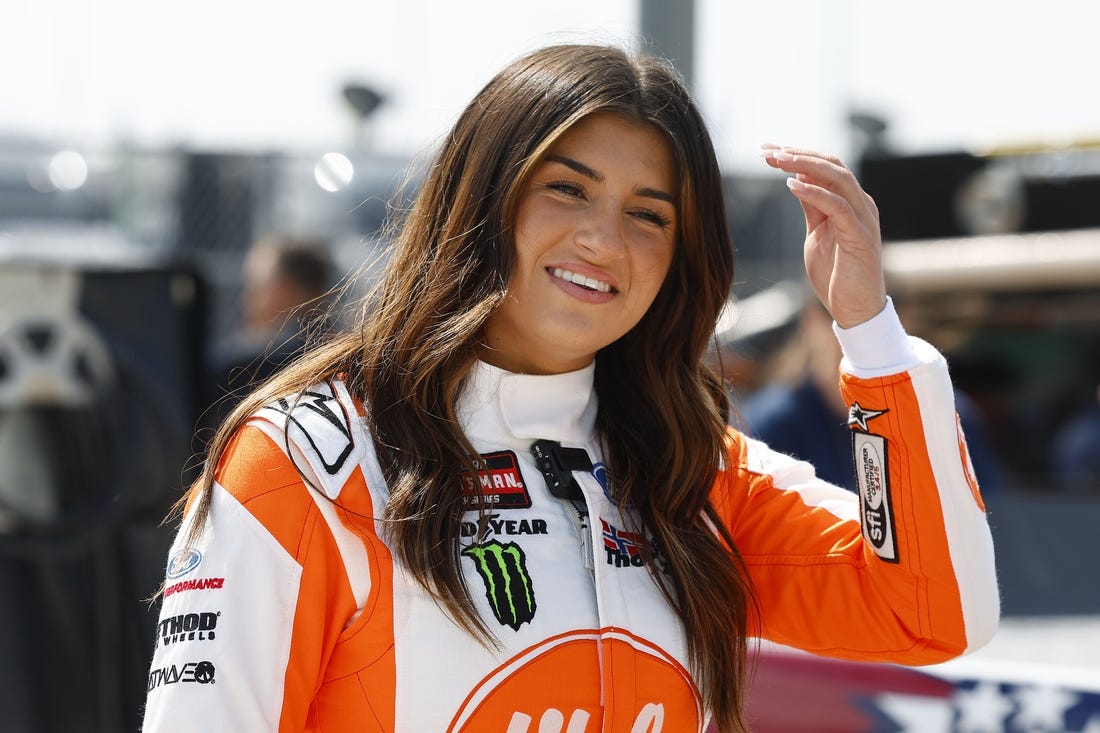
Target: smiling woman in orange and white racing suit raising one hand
(509,500)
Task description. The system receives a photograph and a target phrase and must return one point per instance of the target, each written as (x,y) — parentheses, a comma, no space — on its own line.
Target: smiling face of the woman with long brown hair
(595,235)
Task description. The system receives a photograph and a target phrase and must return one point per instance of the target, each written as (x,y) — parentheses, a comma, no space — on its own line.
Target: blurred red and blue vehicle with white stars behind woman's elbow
(796,693)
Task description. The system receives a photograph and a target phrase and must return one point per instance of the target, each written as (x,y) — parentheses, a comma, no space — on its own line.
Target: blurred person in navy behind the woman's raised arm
(801,412)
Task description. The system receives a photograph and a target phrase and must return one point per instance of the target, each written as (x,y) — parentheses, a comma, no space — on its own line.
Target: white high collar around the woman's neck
(502,407)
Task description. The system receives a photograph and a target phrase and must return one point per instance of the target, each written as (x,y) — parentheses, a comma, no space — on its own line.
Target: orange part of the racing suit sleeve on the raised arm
(819,585)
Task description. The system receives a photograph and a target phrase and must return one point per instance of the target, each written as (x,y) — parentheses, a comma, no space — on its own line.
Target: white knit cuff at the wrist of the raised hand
(877,347)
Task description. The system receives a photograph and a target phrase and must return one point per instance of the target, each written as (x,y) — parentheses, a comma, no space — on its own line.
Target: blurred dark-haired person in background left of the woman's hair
(287,286)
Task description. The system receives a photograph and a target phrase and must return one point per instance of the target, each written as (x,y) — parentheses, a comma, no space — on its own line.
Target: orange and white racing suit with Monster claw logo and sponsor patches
(290,614)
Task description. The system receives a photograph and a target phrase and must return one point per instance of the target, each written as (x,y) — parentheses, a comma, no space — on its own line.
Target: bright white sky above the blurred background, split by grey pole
(233,74)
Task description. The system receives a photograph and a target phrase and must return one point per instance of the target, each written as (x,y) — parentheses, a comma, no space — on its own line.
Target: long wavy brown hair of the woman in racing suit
(421,333)
